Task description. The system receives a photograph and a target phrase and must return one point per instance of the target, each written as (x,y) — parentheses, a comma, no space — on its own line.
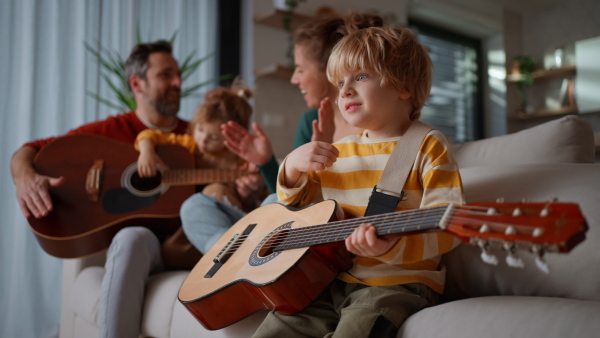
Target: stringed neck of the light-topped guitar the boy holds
(401,222)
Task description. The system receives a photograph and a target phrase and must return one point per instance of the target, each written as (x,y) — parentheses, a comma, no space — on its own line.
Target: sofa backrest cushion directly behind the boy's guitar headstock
(574,275)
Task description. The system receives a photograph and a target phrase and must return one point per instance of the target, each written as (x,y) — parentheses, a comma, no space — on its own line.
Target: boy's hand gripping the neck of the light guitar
(365,242)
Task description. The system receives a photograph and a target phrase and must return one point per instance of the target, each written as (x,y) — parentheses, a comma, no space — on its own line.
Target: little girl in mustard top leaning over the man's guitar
(205,141)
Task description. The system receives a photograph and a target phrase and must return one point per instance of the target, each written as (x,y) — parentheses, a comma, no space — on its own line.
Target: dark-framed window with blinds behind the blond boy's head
(454,106)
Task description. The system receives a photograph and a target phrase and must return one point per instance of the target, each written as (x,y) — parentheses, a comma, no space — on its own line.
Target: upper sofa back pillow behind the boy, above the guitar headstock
(569,139)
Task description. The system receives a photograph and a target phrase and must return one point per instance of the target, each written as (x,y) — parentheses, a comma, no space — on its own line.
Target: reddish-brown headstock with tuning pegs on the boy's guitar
(537,227)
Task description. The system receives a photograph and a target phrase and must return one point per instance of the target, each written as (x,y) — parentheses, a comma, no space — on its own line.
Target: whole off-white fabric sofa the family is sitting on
(554,159)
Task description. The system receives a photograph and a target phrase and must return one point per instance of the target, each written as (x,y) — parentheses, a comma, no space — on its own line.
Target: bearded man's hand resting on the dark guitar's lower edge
(32,193)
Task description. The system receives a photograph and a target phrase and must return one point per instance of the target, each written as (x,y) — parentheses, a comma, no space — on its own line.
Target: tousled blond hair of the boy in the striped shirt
(394,53)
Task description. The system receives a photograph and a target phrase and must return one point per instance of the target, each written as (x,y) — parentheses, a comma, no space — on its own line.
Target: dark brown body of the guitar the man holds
(83,222)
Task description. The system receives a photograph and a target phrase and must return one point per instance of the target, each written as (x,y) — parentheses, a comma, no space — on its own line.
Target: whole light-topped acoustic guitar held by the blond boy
(276,258)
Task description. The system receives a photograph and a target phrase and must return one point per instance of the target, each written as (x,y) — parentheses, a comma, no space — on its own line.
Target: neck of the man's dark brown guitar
(180,177)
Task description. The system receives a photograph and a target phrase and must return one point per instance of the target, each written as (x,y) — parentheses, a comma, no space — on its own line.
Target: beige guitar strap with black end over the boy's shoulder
(388,192)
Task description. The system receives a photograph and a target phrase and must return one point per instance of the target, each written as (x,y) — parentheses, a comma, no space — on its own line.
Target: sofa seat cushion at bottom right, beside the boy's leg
(491,317)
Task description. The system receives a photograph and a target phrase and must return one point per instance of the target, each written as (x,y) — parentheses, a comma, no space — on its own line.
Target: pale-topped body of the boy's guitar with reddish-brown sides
(254,278)
